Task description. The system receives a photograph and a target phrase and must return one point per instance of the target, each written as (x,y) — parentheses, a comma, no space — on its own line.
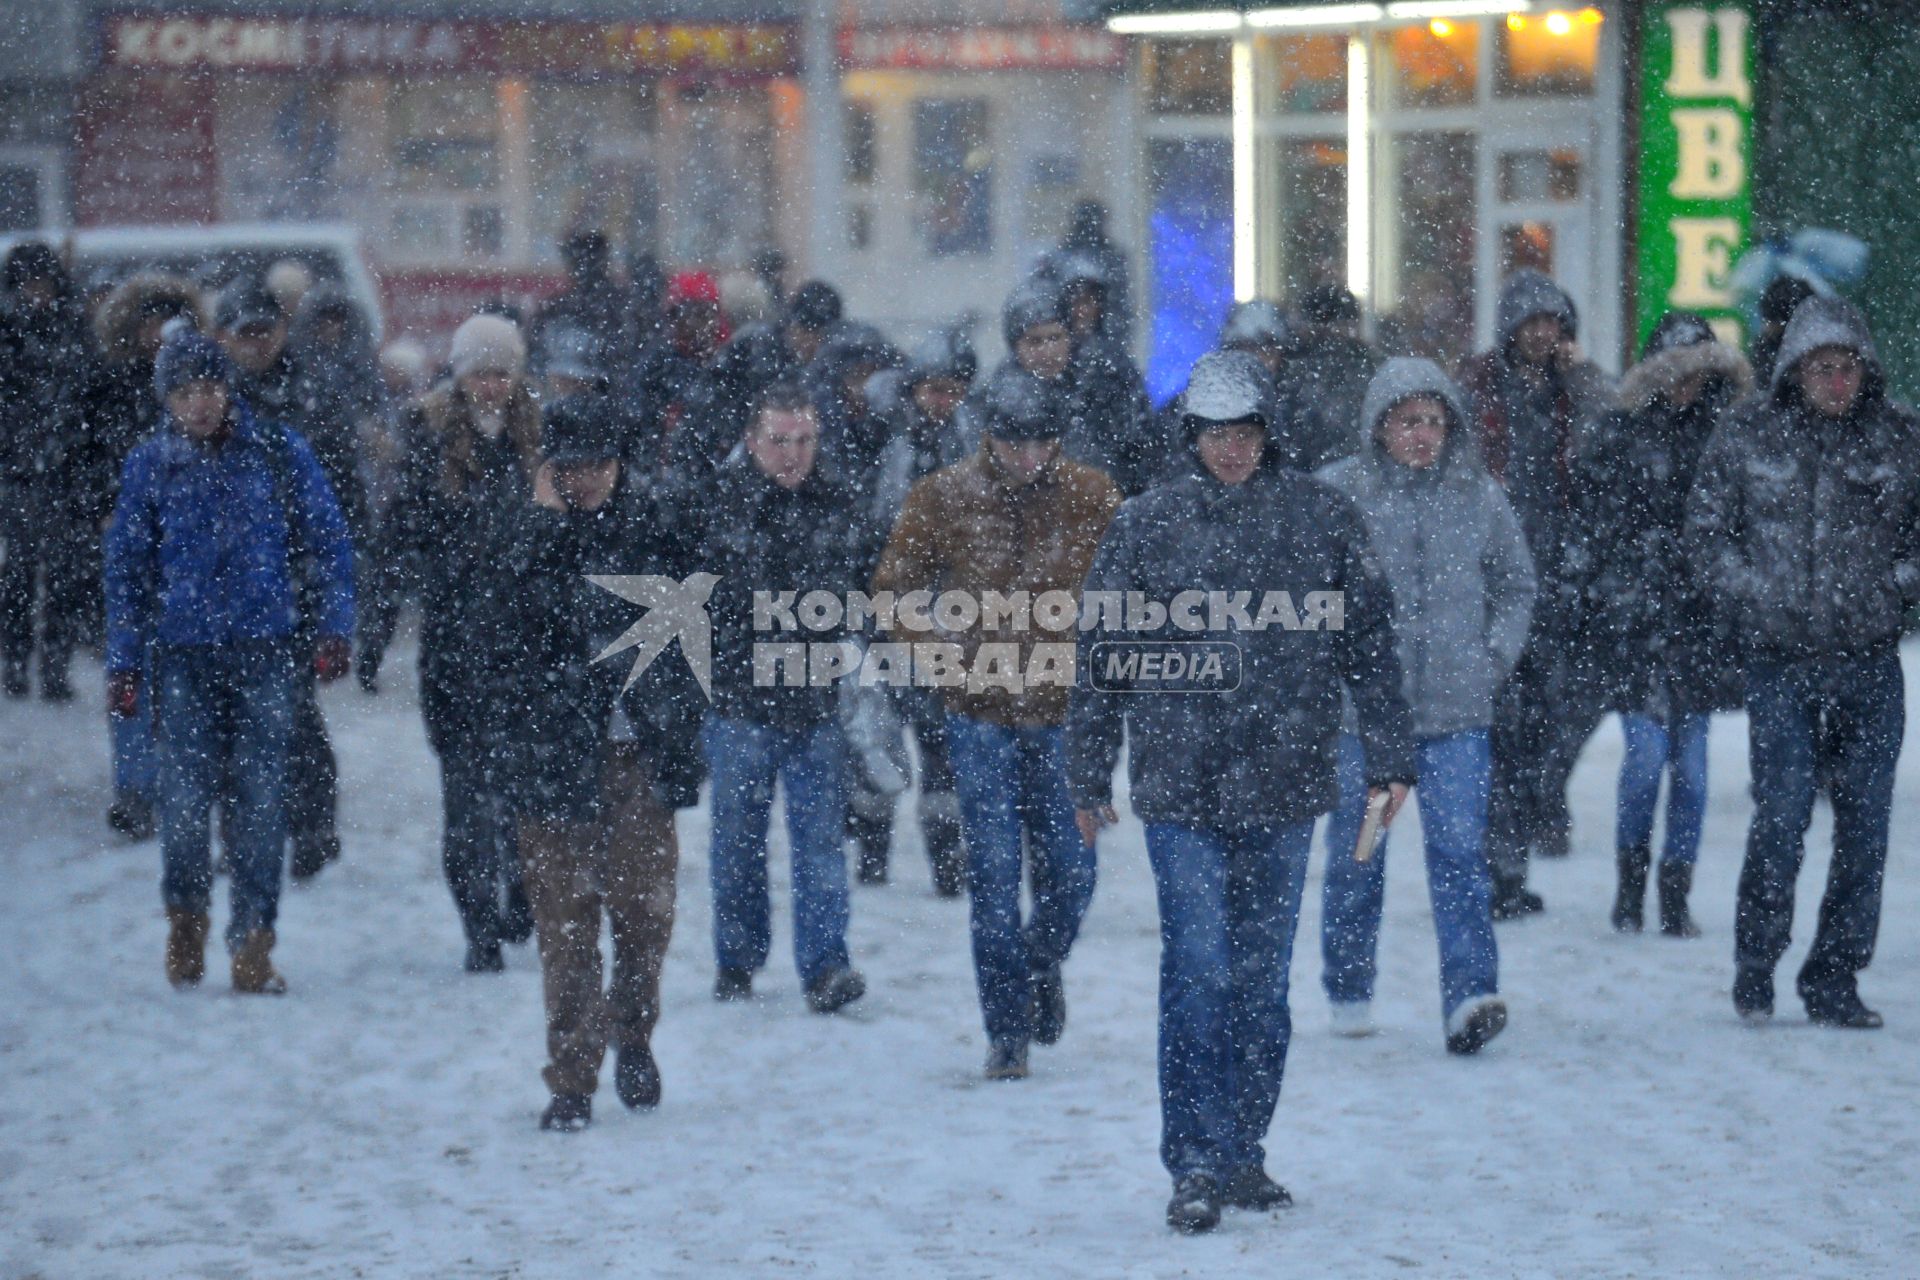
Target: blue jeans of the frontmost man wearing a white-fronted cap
(1230,903)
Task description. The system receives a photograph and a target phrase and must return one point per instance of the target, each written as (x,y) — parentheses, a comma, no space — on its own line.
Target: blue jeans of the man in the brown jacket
(1011,780)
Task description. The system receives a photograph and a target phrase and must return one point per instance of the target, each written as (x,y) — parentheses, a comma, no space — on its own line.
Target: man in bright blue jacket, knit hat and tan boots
(224,533)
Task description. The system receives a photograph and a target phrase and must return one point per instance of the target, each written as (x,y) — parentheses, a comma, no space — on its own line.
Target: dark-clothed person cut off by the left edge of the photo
(49,523)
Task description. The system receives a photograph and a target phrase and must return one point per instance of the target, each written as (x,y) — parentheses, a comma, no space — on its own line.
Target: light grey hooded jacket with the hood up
(1452,554)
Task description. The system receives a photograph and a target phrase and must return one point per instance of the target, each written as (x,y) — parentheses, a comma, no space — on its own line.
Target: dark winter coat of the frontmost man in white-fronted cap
(1262,753)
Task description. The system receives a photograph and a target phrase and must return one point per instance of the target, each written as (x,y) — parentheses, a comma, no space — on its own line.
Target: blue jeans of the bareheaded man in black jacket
(744,761)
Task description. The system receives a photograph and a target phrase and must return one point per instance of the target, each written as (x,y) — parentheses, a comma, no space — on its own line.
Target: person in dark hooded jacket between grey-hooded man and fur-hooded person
(1529,400)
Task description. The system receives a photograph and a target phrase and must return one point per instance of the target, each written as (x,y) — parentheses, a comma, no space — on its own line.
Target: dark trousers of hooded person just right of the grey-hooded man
(1543,719)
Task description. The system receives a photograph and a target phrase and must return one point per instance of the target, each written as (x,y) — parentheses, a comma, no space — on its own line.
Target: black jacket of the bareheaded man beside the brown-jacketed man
(757,536)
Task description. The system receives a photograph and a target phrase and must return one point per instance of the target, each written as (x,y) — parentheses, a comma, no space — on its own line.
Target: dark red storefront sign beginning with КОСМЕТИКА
(404,45)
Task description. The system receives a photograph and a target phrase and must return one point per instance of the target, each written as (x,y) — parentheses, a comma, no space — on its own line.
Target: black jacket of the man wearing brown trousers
(564,707)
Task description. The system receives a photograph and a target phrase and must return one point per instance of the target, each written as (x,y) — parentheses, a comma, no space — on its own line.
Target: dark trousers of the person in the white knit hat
(479,853)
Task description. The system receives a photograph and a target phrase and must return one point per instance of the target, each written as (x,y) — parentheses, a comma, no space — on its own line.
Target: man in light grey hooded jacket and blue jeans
(1464,592)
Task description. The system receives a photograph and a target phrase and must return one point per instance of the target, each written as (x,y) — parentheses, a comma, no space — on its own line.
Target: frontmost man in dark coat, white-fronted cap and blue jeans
(1232,780)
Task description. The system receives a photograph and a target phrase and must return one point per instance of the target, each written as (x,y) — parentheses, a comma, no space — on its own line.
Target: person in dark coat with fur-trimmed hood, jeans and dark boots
(1664,657)
